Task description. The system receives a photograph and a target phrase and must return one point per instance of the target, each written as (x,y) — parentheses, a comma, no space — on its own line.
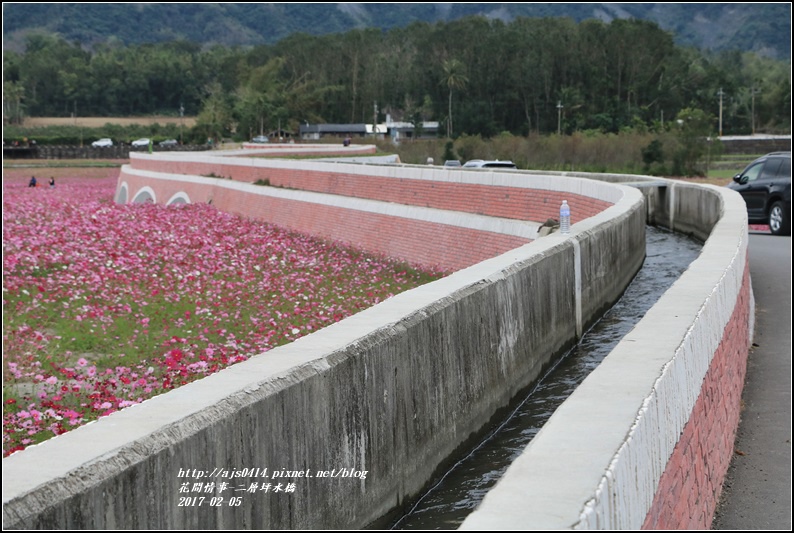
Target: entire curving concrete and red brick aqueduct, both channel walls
(358,418)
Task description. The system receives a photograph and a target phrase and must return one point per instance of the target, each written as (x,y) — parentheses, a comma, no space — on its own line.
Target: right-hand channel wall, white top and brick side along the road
(646,440)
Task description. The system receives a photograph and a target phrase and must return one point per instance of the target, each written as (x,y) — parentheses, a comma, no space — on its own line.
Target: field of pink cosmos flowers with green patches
(106,305)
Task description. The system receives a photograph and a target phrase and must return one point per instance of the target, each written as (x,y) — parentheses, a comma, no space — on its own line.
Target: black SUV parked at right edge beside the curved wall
(765,186)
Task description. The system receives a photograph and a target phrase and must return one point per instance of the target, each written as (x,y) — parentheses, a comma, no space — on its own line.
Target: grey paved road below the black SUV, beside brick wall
(757,490)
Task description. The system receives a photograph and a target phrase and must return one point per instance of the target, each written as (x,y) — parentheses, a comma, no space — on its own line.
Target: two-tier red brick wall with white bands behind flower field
(463,217)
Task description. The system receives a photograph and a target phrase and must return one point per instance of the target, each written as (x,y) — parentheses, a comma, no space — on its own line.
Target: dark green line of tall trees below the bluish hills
(474,76)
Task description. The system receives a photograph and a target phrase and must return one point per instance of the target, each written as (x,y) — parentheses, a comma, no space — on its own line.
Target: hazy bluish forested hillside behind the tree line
(764,28)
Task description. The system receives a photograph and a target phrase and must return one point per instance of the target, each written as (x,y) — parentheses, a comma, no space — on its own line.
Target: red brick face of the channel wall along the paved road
(692,481)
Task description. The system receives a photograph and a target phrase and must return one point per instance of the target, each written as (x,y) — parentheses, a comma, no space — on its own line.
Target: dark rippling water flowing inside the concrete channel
(447,504)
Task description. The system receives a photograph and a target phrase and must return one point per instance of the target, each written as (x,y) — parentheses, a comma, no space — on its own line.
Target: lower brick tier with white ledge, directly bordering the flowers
(448,240)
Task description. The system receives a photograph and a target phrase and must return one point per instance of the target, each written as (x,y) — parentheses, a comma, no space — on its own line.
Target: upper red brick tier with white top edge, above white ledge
(504,194)
